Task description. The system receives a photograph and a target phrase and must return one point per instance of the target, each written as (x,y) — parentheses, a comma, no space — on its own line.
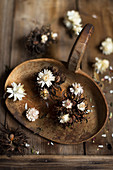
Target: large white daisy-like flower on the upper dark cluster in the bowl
(45,78)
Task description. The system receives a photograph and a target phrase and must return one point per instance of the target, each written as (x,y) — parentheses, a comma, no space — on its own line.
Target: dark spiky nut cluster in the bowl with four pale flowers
(73,106)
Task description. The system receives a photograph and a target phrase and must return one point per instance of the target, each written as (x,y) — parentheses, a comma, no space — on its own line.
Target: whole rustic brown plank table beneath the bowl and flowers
(17,19)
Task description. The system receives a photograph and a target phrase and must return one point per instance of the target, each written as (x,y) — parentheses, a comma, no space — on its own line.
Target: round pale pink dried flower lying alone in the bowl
(32,114)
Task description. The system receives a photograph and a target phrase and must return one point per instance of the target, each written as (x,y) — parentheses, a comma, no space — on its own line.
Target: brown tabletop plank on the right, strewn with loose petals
(103,25)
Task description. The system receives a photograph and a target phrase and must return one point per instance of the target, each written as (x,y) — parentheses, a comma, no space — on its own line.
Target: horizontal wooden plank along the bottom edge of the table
(49,162)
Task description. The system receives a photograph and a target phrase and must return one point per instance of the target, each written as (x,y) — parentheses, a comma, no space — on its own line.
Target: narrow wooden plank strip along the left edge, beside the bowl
(6,20)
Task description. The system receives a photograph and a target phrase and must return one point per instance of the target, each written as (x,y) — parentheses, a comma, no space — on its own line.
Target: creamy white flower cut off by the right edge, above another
(107,46)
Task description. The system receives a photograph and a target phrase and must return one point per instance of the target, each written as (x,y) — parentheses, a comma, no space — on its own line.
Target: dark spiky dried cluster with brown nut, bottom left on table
(12,141)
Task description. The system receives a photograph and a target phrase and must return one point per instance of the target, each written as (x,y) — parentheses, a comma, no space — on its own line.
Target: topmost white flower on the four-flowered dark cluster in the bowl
(77,89)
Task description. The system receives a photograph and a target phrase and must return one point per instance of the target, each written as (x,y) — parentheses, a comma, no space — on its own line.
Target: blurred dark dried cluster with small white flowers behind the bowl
(39,39)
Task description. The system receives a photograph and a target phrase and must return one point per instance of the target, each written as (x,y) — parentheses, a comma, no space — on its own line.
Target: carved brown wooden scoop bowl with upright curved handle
(45,127)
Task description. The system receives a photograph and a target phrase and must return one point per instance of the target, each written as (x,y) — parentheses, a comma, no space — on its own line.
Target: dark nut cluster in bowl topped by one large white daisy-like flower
(48,82)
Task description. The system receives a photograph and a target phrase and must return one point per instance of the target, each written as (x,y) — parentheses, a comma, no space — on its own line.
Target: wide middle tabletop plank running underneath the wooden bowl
(28,15)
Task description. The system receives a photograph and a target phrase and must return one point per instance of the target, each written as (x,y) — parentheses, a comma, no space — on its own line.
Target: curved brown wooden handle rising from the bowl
(79,47)
